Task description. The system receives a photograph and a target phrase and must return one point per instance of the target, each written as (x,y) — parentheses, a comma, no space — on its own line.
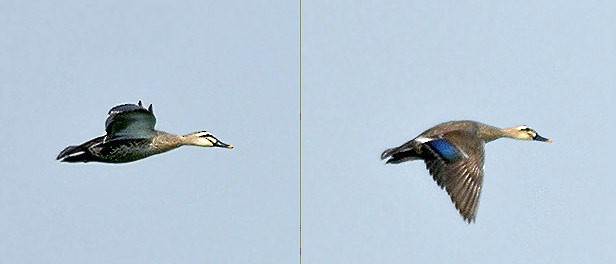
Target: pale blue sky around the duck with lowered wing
(377,73)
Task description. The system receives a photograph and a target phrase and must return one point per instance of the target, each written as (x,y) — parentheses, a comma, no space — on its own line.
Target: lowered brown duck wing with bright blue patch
(455,162)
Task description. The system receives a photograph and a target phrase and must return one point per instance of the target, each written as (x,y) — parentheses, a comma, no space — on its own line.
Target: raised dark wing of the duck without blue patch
(130,121)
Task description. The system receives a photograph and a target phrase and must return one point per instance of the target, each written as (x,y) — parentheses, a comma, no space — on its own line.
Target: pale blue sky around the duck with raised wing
(228,67)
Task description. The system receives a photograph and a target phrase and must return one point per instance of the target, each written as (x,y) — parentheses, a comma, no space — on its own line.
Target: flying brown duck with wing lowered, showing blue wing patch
(454,156)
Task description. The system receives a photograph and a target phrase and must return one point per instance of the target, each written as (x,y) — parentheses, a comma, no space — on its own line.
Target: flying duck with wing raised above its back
(130,136)
